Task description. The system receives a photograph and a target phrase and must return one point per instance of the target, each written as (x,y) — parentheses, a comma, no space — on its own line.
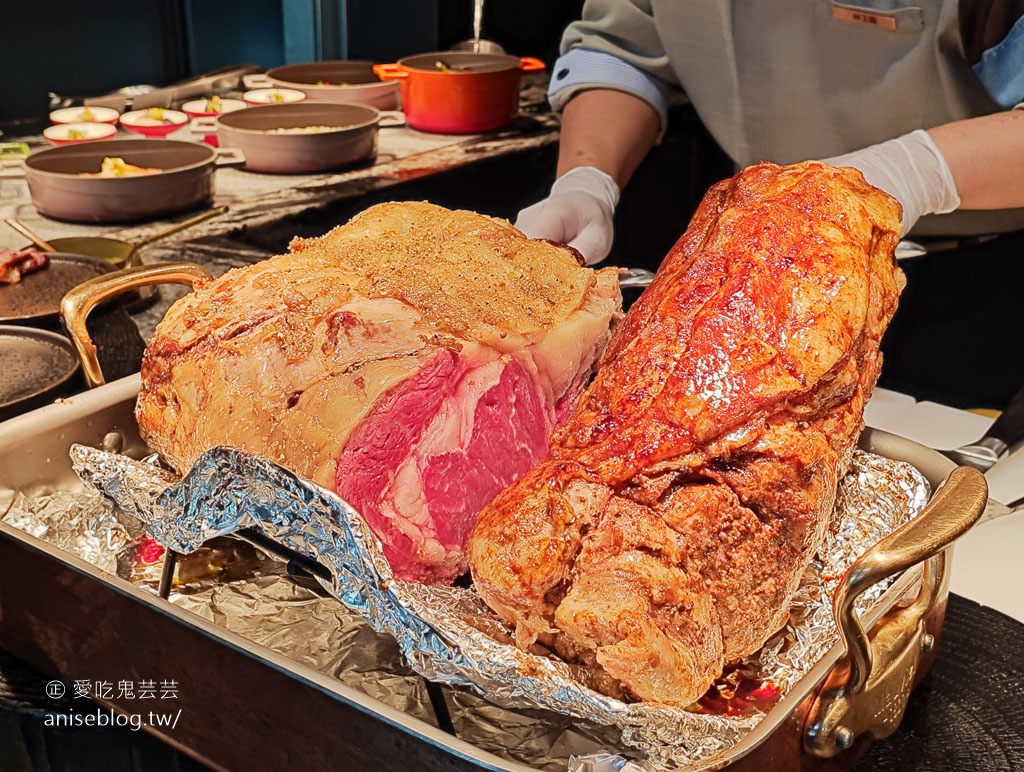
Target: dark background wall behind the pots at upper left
(77,49)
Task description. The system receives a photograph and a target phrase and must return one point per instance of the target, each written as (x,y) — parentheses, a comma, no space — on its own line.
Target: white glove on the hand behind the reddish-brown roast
(911,169)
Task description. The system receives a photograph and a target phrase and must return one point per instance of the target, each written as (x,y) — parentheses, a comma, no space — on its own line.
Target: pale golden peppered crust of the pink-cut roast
(285,357)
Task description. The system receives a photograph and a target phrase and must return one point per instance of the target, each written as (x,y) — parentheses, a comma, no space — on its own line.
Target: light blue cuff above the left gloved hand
(582,69)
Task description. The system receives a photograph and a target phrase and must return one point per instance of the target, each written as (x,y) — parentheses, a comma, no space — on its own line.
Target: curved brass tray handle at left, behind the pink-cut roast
(77,305)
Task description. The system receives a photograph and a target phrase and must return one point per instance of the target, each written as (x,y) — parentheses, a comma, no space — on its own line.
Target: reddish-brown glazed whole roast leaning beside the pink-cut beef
(667,530)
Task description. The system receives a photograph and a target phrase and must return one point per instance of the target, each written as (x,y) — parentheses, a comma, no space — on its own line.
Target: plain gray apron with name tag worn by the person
(817,79)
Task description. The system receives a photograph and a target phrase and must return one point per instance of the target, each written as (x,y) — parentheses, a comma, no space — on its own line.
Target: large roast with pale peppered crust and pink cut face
(415,361)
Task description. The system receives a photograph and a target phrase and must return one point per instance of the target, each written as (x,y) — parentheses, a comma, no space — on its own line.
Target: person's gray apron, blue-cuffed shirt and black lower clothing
(791,80)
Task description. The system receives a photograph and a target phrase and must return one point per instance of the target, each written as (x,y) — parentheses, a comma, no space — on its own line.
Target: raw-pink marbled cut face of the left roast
(435,451)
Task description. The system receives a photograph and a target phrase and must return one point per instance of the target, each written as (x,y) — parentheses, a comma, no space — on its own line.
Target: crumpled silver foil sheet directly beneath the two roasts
(448,635)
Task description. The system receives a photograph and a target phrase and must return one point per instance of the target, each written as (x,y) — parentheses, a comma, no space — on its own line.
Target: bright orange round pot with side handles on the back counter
(459,93)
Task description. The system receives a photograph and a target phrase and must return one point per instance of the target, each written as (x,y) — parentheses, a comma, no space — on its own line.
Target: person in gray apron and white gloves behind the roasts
(920,96)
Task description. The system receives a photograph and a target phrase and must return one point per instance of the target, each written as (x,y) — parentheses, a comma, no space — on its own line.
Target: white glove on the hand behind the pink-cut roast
(578,212)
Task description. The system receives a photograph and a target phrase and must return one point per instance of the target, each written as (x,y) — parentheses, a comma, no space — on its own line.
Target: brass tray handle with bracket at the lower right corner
(867,694)
